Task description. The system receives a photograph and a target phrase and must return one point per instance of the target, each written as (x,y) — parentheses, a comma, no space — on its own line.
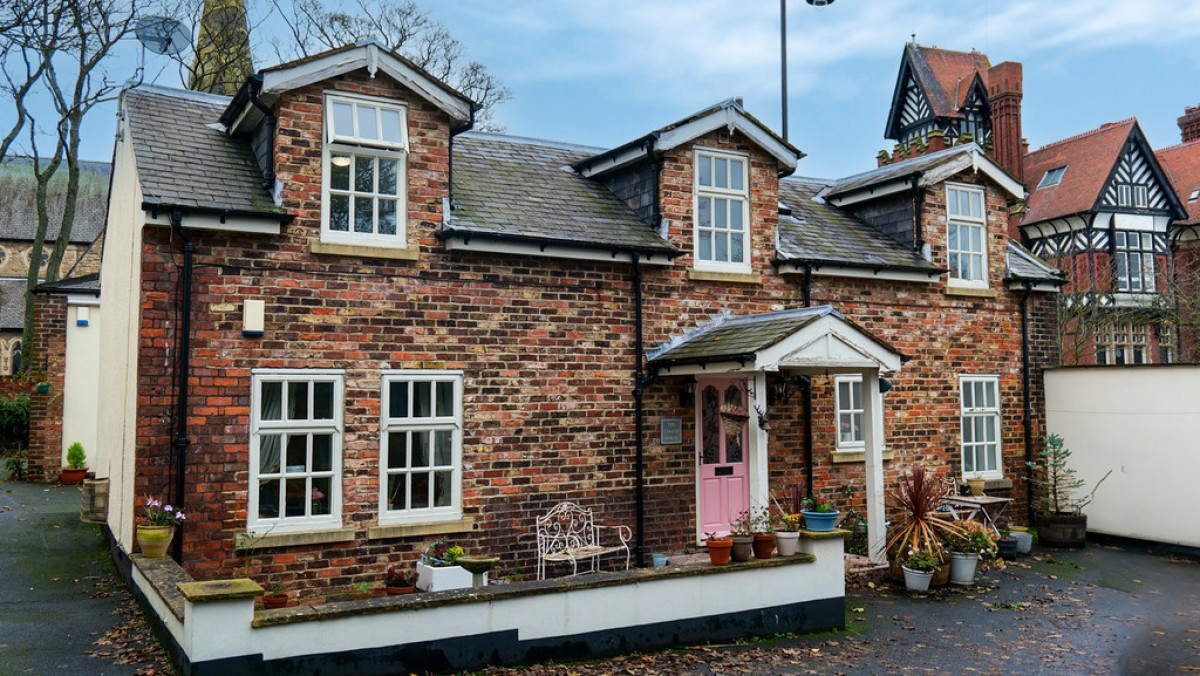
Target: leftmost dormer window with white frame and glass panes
(364,172)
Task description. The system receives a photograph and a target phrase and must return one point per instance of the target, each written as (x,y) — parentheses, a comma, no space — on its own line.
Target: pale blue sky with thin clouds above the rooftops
(604,73)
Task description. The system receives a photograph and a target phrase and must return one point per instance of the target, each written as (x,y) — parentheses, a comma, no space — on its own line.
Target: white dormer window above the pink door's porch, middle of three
(722,212)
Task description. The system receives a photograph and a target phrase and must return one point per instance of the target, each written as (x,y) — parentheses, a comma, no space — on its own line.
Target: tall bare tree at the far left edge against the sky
(58,49)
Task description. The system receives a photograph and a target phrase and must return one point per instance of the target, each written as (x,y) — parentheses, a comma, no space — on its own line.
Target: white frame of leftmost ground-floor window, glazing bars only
(335,427)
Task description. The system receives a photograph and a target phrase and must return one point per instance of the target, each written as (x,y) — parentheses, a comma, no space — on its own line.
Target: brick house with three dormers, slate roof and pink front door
(392,328)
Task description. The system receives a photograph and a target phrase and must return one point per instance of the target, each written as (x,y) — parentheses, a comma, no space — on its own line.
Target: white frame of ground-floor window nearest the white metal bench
(434,423)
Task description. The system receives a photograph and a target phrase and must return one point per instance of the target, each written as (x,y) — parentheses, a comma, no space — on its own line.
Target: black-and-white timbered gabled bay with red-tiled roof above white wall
(1101,208)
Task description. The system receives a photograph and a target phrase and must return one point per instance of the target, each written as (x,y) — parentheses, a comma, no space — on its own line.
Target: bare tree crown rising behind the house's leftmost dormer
(316,26)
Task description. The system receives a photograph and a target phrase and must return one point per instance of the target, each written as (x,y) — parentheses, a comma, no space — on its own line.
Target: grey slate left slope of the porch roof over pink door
(737,338)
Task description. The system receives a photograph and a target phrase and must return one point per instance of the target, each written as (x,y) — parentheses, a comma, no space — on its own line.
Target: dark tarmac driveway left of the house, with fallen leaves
(63,609)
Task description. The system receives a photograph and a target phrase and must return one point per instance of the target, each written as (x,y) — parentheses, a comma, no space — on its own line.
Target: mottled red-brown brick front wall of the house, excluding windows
(548,352)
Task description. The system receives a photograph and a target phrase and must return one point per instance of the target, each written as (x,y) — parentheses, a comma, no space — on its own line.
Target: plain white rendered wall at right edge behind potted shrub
(1144,424)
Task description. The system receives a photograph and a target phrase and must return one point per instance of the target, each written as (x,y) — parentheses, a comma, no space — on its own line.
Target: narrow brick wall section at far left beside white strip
(49,372)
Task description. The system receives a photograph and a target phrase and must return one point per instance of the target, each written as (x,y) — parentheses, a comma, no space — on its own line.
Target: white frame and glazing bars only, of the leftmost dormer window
(363,148)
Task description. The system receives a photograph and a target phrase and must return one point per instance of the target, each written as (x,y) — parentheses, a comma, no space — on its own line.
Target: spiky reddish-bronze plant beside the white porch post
(919,527)
